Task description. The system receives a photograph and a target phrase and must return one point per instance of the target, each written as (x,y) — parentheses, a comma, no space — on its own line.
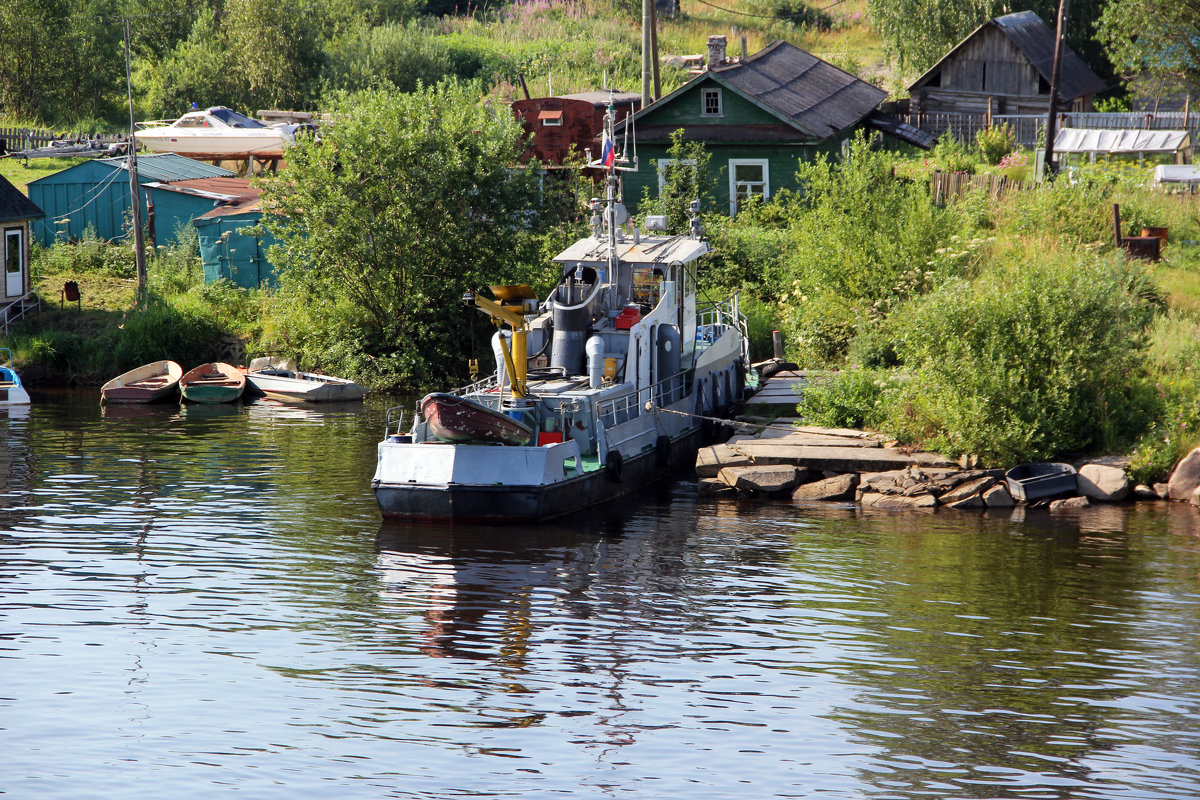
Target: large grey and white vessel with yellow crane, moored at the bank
(608,383)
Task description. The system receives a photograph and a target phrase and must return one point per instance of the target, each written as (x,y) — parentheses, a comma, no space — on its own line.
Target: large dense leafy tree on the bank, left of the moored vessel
(405,202)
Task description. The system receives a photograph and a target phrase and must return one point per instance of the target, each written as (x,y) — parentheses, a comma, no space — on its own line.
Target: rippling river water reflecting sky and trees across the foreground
(203,603)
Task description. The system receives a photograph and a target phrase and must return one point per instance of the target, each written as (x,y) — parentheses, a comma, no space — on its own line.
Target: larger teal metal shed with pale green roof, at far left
(97,195)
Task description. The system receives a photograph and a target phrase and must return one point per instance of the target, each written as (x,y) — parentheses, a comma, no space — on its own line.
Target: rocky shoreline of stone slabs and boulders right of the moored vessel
(813,465)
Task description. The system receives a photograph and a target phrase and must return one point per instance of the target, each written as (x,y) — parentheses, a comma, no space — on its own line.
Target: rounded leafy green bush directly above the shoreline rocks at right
(1039,358)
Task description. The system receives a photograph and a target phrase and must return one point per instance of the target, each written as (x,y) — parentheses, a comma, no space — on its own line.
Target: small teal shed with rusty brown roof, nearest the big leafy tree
(230,251)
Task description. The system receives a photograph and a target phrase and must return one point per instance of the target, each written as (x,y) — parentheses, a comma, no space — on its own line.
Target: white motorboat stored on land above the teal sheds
(218,133)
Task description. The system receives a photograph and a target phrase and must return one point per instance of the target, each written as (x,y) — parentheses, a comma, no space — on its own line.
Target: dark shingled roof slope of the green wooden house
(817,97)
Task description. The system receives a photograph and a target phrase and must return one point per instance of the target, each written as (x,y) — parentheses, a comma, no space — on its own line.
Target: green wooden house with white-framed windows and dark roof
(759,117)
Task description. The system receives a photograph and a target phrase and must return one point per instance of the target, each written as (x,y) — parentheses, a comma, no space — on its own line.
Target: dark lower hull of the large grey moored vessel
(491,504)
